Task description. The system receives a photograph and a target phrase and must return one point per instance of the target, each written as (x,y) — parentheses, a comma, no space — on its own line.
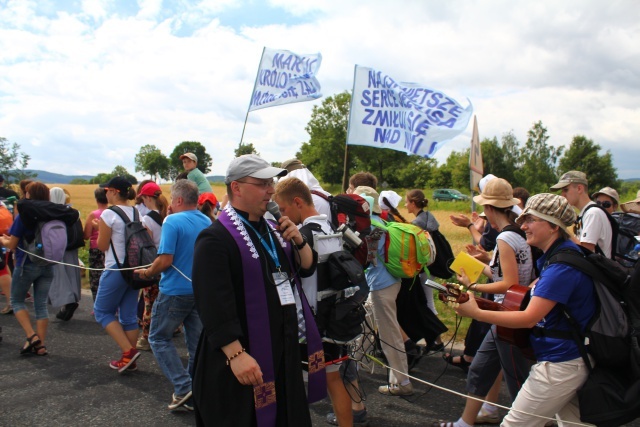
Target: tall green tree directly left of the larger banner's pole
(324,152)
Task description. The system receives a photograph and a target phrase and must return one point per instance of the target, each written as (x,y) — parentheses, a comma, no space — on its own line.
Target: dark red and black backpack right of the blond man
(353,212)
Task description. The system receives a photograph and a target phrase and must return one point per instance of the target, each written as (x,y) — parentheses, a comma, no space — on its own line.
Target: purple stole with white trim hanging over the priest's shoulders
(264,395)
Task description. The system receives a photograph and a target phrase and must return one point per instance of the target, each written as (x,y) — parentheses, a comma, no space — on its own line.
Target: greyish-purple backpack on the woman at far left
(48,244)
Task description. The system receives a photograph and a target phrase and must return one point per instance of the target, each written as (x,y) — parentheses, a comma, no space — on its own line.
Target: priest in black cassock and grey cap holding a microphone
(247,369)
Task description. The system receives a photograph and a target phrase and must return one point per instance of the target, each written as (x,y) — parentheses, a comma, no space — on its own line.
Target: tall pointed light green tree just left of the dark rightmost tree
(538,168)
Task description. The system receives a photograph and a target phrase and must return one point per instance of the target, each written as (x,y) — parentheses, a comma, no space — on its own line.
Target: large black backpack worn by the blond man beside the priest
(340,312)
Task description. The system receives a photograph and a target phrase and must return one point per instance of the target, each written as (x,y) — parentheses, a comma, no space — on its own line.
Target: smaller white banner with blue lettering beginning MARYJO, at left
(285,77)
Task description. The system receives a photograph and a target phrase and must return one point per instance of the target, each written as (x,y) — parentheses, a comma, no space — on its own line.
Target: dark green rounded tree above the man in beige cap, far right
(583,155)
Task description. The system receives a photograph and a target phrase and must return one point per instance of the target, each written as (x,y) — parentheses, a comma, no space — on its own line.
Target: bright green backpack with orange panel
(407,249)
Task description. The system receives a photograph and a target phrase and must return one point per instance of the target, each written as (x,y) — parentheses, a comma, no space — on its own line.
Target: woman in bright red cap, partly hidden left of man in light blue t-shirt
(157,204)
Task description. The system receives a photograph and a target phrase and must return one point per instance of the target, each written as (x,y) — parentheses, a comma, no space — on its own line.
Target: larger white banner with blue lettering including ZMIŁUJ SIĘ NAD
(402,116)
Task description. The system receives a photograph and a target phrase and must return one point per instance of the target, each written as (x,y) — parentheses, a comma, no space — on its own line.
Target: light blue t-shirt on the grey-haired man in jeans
(178,238)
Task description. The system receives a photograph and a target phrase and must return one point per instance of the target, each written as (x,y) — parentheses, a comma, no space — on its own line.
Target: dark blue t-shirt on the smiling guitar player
(572,288)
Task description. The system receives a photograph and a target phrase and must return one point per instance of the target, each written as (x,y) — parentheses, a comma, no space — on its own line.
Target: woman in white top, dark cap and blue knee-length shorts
(116,303)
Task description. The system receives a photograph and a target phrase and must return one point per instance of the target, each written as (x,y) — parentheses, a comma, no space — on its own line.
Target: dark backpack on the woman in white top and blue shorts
(139,249)
